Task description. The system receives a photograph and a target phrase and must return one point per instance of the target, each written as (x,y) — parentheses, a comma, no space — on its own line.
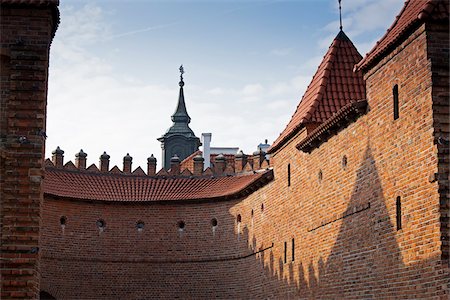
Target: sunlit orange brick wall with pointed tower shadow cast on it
(347,197)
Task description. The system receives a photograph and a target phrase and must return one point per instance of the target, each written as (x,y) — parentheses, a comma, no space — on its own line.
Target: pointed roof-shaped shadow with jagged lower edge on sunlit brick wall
(365,261)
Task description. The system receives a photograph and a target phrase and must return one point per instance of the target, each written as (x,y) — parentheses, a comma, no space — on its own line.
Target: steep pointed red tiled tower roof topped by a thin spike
(333,86)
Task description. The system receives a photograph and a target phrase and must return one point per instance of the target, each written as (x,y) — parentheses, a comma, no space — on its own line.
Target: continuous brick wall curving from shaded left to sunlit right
(347,245)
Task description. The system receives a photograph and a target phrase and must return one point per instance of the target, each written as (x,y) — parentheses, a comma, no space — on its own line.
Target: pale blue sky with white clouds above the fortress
(113,75)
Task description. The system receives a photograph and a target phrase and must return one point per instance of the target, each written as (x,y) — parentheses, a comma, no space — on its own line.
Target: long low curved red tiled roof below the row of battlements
(116,187)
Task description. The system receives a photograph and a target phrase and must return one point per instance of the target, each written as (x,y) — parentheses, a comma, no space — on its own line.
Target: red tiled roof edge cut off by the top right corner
(413,12)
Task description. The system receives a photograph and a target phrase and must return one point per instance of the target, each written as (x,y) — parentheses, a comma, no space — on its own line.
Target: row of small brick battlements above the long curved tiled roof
(193,165)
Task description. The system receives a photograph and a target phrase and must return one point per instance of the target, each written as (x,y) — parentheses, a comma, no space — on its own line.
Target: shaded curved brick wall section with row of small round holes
(206,259)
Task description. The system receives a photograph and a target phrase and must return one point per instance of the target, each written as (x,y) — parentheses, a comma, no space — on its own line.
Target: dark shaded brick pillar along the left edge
(25,39)
